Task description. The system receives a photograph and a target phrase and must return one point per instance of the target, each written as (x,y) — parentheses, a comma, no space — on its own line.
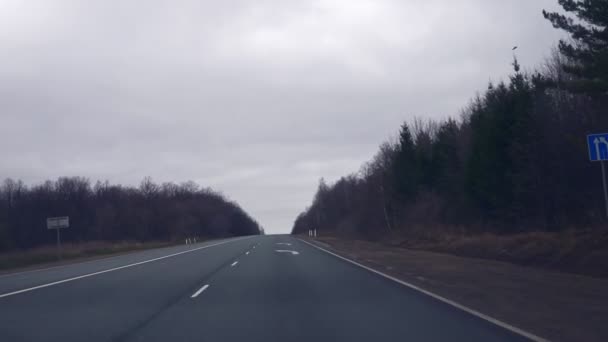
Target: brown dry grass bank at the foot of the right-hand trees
(581,251)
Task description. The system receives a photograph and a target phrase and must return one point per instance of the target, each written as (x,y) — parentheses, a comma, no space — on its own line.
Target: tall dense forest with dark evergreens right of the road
(515,160)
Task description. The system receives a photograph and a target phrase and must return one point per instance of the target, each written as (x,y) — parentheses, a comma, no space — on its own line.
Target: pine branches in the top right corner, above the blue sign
(588,50)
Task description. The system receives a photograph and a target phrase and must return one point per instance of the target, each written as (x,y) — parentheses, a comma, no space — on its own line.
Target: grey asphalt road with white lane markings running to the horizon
(243,289)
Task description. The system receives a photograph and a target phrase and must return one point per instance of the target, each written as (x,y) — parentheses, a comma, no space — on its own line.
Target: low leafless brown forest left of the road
(103,211)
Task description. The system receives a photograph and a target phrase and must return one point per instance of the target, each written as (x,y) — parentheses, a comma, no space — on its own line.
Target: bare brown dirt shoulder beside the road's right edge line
(554,305)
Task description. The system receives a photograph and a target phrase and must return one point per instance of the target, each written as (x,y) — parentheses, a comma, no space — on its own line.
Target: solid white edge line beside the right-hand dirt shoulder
(438,297)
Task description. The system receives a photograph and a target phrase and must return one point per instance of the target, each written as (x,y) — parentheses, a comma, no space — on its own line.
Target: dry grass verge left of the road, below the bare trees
(46,256)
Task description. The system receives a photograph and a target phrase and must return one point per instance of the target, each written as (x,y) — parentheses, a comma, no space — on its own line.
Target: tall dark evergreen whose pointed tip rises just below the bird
(500,134)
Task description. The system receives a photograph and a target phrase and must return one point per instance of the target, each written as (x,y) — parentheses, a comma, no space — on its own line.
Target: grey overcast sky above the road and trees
(257,99)
